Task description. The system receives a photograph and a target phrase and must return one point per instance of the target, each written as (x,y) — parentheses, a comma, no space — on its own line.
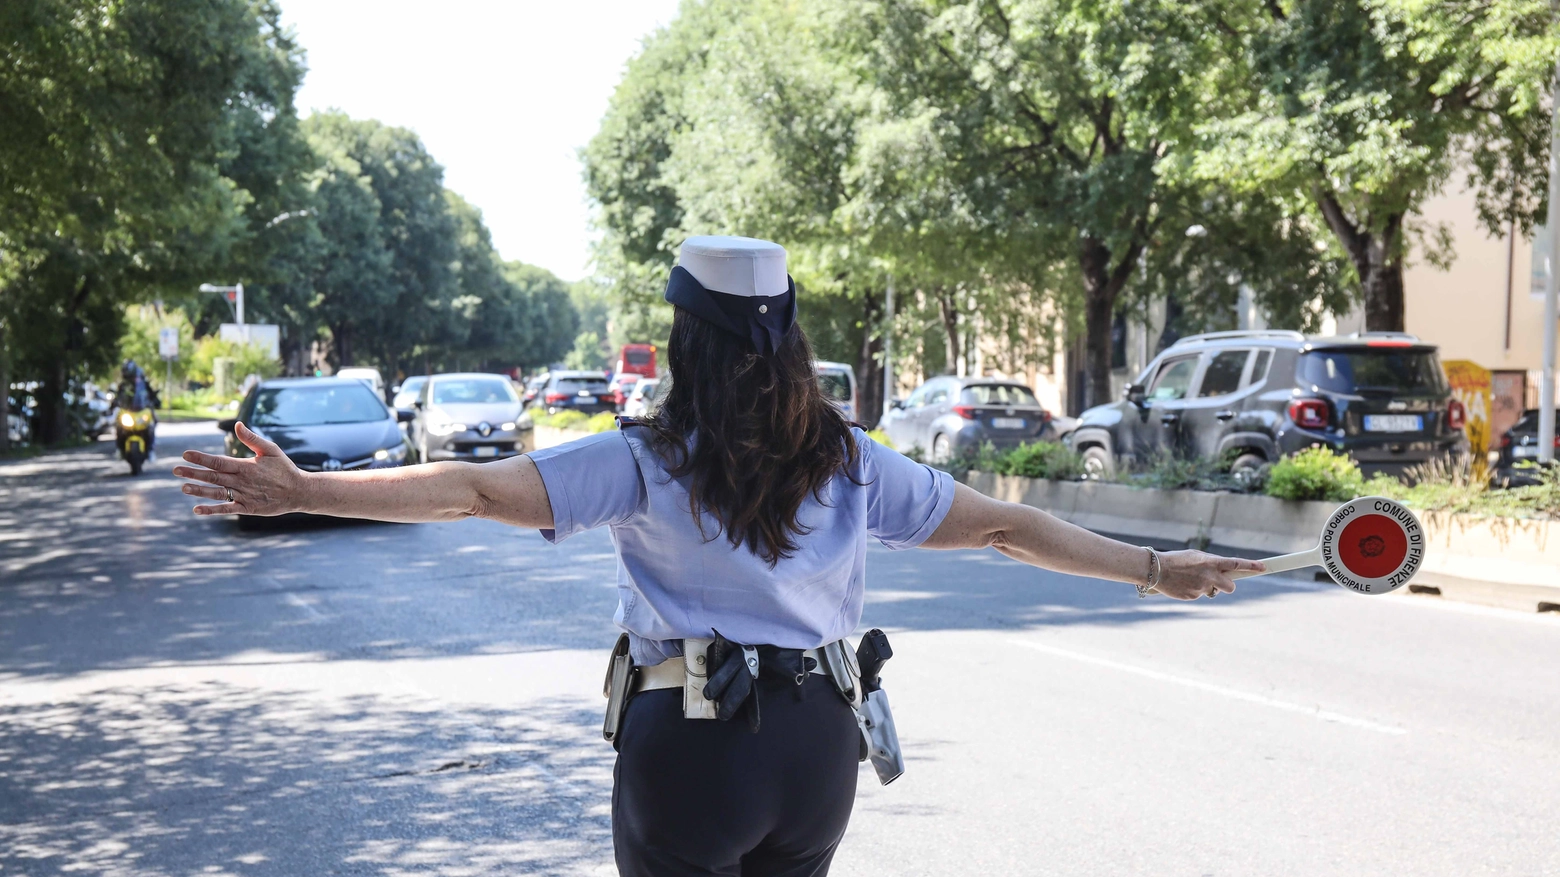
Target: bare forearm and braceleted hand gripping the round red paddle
(1041,541)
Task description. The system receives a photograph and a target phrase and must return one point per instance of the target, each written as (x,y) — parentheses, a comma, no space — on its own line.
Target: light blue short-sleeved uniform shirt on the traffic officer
(675,583)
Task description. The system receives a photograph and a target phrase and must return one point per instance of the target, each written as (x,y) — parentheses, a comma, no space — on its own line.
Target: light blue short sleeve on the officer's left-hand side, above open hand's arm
(590,483)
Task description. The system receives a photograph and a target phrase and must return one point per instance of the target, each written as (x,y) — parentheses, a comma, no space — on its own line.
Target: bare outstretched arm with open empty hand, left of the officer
(271,485)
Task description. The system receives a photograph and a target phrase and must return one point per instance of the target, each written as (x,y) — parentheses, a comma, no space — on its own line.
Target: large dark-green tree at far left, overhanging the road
(124,122)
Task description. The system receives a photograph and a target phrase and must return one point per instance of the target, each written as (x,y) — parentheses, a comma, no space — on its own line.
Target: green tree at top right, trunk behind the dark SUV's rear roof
(1361,110)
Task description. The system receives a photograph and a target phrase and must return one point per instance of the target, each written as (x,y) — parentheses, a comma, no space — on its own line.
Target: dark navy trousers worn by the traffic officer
(712,798)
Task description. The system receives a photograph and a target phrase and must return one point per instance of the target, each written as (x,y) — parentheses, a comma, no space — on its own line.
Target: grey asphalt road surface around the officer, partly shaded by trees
(179,697)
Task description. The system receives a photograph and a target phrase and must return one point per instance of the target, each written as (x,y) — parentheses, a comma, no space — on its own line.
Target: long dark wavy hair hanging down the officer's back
(753,435)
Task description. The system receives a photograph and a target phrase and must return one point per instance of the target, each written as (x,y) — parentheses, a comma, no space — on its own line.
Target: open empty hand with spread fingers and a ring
(264,485)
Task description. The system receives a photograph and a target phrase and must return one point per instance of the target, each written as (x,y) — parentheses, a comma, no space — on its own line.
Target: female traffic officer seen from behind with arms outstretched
(740,513)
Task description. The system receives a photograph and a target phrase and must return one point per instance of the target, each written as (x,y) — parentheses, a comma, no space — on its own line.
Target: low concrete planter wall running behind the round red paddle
(1509,563)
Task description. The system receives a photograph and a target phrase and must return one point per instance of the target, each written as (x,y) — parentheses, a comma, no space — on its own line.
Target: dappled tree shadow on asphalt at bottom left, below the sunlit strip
(232,781)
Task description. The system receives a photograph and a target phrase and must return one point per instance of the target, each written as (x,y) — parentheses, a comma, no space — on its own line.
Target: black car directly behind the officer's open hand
(322,424)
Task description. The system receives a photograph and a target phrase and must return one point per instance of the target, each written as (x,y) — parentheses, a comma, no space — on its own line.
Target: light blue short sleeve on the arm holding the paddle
(906,500)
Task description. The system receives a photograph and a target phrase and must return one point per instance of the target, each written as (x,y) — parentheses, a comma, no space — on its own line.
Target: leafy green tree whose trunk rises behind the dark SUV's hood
(1065,122)
